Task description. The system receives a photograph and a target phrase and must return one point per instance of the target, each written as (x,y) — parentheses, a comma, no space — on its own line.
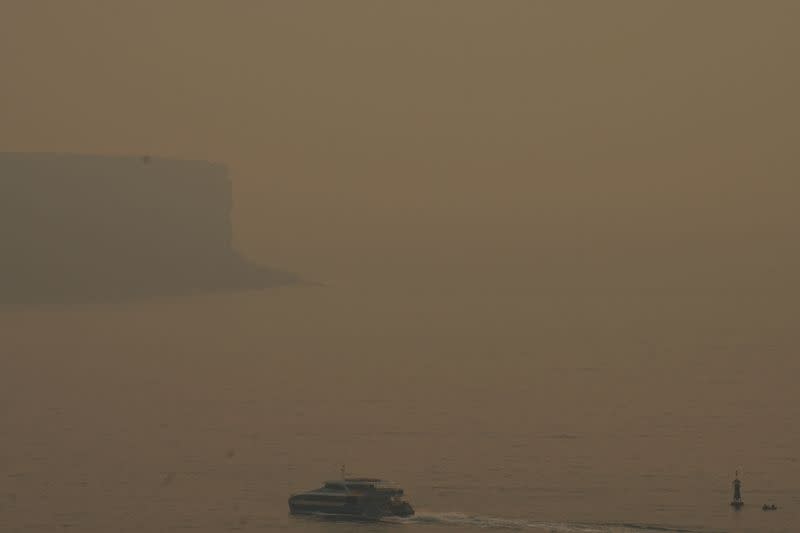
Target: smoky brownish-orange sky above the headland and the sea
(597,129)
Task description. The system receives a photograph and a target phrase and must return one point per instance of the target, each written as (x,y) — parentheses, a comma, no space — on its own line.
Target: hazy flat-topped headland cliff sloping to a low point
(94,228)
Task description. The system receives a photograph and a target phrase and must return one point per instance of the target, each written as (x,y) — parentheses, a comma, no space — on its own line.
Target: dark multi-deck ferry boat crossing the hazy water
(355,498)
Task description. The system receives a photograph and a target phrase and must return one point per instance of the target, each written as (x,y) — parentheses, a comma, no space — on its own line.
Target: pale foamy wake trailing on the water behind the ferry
(489,522)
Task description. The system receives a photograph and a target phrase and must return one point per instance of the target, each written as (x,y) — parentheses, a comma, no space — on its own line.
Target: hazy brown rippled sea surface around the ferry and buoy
(498,407)
